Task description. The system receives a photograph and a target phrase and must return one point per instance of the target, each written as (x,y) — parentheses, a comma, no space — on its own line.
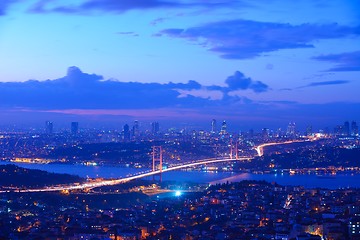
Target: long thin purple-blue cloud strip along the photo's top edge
(121,6)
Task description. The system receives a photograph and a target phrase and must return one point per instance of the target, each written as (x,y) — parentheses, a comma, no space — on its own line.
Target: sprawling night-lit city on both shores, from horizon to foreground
(151,209)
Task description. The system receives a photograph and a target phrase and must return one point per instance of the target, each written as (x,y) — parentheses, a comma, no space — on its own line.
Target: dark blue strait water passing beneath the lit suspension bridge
(308,181)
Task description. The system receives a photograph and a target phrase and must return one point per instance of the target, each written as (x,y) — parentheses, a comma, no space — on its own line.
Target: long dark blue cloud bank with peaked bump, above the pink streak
(78,90)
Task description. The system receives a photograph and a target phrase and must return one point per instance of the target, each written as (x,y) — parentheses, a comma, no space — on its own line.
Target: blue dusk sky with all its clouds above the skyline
(253,63)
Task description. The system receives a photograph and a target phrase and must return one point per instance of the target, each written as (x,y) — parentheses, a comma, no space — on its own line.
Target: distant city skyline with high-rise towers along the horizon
(136,128)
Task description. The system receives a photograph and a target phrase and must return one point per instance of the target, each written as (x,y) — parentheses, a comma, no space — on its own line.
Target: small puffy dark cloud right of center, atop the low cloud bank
(239,81)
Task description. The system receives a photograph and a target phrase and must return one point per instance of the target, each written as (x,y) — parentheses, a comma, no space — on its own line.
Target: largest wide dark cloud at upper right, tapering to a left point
(241,39)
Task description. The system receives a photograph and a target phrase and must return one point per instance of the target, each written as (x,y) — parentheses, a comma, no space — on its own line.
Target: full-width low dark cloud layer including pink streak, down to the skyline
(88,96)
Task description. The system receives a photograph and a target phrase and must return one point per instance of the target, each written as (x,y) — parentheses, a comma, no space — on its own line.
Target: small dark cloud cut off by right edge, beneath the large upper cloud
(349,61)
